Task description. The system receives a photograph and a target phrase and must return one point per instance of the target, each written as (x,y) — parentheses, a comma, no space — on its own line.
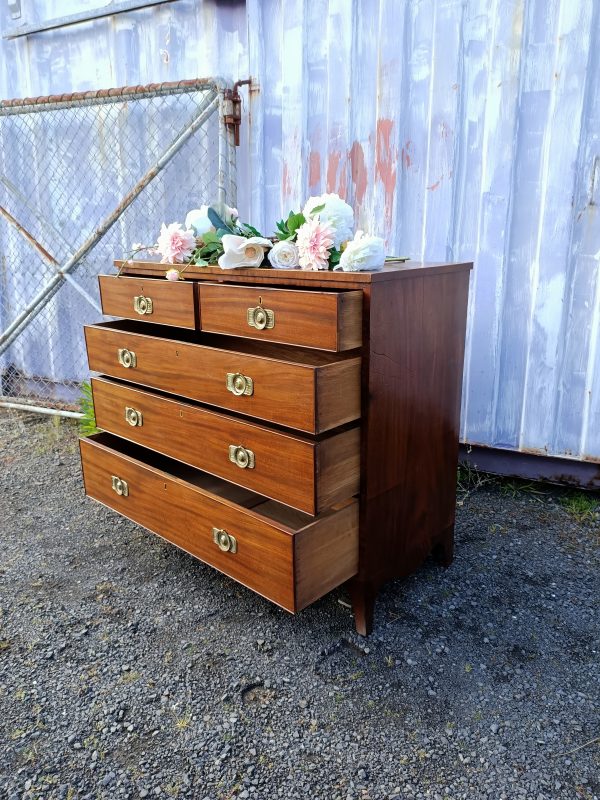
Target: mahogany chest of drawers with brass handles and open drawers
(295,430)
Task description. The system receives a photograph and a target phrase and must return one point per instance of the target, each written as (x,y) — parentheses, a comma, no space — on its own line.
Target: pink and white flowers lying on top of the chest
(320,237)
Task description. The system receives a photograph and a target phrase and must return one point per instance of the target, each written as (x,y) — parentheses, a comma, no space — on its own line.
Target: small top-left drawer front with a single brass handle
(147,300)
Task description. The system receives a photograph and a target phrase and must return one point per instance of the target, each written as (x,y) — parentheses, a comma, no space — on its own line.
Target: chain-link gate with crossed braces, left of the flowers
(82,178)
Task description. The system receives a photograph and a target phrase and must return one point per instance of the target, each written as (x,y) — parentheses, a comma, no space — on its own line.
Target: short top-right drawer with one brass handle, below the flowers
(324,320)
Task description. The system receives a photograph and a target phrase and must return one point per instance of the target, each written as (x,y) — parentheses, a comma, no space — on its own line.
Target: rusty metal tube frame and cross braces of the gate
(219,98)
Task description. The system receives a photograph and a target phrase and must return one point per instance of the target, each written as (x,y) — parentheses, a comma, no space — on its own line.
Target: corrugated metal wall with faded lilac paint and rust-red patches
(459,129)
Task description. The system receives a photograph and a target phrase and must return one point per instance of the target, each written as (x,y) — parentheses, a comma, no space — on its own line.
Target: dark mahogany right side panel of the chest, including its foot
(412,390)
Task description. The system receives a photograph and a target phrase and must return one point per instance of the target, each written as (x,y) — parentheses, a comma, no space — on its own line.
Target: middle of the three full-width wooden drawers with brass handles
(307,474)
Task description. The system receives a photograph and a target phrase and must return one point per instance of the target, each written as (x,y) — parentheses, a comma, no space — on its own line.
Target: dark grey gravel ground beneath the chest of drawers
(130,670)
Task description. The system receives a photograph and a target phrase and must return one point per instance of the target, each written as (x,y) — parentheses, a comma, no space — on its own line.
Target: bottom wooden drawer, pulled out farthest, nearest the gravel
(283,555)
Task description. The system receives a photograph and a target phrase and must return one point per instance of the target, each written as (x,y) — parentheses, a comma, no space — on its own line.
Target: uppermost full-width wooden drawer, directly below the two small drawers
(302,389)
